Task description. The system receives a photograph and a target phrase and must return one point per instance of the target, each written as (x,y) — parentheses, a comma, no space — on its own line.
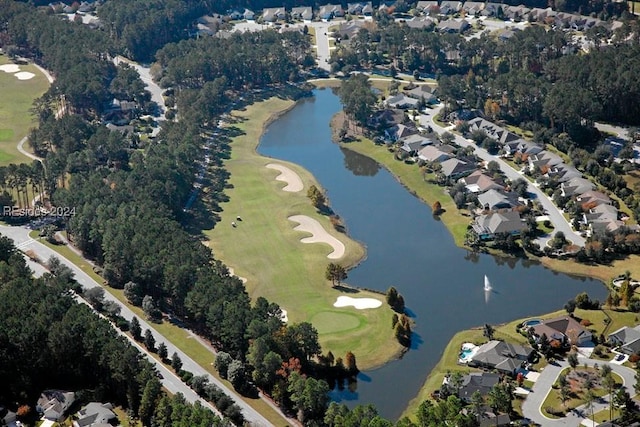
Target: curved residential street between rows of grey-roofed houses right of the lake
(555,215)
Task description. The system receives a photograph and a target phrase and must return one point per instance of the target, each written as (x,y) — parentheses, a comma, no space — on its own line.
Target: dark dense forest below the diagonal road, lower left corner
(48,340)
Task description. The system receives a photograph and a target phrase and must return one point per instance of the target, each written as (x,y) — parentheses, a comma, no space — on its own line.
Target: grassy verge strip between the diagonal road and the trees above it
(180,337)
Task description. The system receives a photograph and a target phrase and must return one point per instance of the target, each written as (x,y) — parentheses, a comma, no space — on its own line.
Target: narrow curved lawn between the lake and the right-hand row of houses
(411,177)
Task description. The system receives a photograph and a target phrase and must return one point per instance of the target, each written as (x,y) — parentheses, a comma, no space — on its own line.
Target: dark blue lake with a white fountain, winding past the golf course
(406,248)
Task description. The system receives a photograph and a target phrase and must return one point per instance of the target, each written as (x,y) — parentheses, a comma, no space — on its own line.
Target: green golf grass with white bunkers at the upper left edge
(15,102)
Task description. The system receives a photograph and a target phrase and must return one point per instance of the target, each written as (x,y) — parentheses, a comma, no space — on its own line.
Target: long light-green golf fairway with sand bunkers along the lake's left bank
(266,250)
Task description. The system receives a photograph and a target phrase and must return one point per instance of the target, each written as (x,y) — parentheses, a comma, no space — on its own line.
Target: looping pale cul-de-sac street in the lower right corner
(531,408)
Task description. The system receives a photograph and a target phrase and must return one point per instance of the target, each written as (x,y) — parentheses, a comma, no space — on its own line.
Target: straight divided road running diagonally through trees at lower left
(20,236)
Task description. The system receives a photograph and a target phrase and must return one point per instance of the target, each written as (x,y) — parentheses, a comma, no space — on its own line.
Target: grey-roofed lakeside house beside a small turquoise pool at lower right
(502,356)
